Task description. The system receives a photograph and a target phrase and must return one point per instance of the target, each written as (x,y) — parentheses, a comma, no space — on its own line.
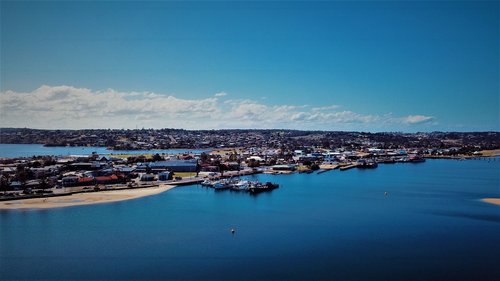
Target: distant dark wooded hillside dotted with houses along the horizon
(287,140)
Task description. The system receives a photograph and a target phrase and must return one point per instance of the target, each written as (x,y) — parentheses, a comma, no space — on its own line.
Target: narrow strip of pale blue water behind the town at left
(28,150)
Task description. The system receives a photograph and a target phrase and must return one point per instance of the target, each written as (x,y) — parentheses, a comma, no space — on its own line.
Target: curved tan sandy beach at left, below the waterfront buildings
(83,198)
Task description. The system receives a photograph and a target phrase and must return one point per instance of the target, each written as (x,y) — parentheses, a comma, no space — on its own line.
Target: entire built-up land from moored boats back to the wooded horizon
(224,155)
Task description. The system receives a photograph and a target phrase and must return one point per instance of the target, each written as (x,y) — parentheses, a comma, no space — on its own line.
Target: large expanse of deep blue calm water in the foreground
(333,226)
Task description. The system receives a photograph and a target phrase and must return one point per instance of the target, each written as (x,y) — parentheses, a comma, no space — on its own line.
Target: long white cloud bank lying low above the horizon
(71,107)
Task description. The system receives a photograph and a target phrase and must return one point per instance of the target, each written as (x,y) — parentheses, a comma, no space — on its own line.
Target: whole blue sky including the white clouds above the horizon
(358,65)
